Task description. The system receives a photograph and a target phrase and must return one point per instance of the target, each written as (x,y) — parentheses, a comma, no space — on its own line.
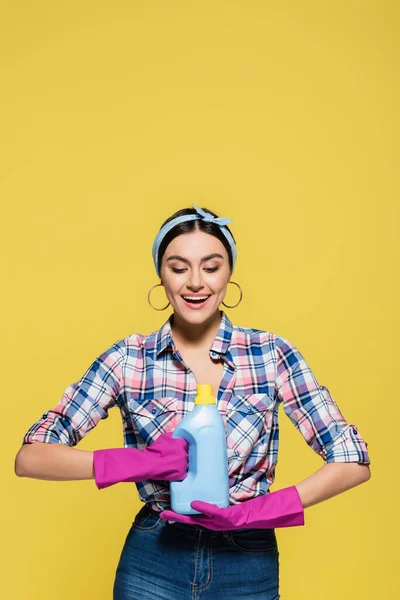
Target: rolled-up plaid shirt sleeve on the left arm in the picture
(83,403)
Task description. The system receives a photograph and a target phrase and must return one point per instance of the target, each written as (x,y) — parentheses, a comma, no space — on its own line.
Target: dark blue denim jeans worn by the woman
(175,561)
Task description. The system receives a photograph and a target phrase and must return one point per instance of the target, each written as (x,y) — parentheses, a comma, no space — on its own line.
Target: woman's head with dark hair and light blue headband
(195,259)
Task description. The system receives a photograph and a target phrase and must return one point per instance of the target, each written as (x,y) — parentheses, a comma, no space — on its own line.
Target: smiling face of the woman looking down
(195,264)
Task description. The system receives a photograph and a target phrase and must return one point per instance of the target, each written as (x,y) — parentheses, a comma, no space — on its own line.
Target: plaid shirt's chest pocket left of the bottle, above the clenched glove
(151,418)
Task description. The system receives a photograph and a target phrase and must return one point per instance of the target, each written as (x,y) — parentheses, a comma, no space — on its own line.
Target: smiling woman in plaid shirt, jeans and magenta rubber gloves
(220,553)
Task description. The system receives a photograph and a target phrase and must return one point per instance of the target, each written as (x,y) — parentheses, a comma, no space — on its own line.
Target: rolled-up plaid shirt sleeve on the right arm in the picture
(313,411)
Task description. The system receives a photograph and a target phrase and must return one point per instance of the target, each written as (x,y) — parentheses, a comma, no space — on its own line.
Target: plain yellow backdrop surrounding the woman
(282,116)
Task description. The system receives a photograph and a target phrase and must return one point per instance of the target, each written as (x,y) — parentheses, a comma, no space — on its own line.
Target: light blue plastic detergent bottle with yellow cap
(207,479)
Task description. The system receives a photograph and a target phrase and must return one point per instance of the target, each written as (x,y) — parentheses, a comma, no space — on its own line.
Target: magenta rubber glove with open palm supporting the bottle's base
(282,508)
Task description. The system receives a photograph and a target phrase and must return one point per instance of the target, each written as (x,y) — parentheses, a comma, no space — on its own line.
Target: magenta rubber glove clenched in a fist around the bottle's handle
(166,459)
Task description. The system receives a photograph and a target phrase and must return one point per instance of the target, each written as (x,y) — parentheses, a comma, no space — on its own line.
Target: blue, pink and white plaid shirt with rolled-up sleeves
(146,377)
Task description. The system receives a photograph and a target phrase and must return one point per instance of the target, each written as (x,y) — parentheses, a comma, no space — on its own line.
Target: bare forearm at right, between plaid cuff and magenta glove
(330,480)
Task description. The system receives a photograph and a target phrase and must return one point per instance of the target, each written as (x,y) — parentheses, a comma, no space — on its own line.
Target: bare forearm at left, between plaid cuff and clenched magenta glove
(56,462)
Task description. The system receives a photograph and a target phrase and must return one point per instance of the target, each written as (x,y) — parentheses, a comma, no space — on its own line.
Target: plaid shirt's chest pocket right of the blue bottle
(248,422)
